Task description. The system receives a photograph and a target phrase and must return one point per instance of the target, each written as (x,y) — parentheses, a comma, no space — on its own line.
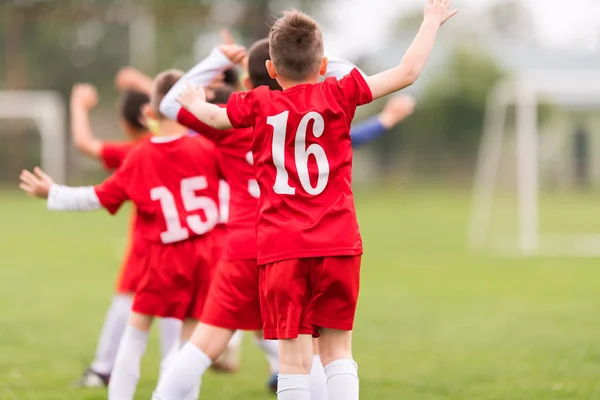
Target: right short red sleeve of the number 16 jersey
(352,91)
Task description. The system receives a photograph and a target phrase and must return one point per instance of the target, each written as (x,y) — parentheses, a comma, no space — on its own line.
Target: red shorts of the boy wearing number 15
(176,278)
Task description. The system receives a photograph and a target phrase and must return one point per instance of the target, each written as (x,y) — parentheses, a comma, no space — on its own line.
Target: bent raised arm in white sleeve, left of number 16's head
(220,59)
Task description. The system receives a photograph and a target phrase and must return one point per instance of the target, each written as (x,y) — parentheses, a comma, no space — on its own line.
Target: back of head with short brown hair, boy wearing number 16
(296,46)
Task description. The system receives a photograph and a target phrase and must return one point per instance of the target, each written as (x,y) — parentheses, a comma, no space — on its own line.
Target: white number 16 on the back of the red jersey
(301,152)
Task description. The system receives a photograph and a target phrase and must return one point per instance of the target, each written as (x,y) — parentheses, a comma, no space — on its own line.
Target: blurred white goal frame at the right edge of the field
(525,92)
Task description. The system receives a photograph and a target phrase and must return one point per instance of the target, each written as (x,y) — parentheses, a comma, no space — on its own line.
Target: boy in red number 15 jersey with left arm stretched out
(173,181)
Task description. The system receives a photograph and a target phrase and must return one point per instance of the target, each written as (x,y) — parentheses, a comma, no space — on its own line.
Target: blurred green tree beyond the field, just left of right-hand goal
(449,118)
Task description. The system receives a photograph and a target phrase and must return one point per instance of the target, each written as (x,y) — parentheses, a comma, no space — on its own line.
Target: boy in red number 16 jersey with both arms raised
(309,245)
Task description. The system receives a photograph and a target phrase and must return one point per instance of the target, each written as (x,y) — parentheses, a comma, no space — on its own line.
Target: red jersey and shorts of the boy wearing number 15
(176,212)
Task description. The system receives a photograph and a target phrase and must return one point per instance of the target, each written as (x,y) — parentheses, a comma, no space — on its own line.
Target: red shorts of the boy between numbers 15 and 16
(233,301)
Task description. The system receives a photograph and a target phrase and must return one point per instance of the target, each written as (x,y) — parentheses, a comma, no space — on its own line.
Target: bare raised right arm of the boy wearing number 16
(436,13)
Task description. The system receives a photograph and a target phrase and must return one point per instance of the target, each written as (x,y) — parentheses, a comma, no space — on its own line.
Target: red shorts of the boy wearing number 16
(299,296)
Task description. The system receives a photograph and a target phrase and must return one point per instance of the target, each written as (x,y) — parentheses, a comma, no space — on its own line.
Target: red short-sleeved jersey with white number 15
(173,183)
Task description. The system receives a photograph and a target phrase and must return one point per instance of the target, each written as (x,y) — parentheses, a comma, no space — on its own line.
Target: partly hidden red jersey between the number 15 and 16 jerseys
(235,147)
